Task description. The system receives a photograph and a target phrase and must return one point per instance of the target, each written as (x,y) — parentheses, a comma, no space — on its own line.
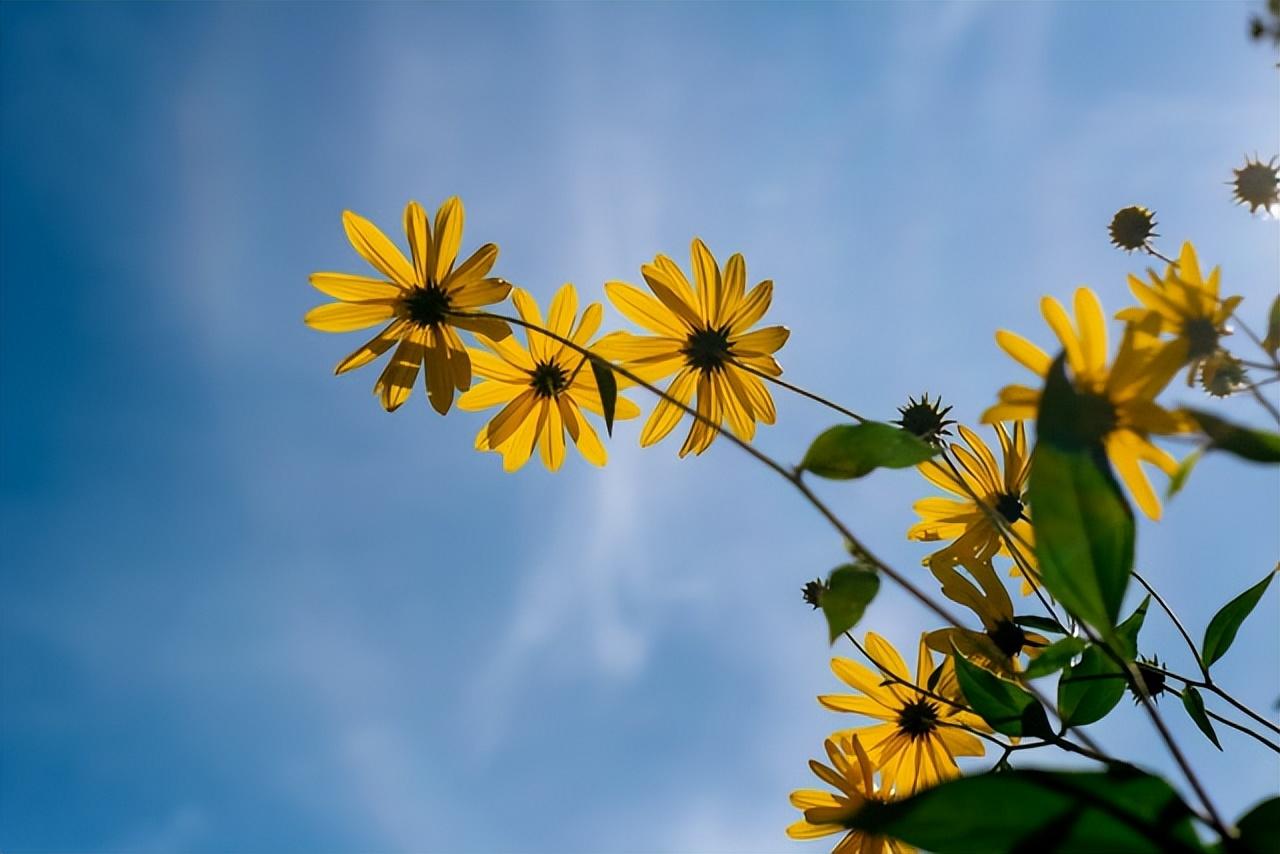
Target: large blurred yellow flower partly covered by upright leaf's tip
(1121,401)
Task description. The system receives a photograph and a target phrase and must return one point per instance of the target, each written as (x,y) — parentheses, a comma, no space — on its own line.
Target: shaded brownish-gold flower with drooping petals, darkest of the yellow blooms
(1002,641)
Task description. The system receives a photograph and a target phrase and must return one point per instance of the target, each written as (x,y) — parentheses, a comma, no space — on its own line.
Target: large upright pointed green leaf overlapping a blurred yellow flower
(1085,532)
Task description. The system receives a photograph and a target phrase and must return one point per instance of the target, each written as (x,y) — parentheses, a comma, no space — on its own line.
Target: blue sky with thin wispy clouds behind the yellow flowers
(244,610)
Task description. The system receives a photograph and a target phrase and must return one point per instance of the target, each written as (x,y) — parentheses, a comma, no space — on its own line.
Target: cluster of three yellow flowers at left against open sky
(702,334)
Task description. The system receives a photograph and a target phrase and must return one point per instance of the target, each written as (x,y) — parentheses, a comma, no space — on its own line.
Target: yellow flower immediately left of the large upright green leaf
(973,528)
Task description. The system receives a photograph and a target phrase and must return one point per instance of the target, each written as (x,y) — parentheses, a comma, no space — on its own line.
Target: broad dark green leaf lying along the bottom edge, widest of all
(1118,811)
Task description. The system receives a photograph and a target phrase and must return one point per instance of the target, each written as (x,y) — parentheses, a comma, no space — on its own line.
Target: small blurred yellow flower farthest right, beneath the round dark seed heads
(1188,307)
